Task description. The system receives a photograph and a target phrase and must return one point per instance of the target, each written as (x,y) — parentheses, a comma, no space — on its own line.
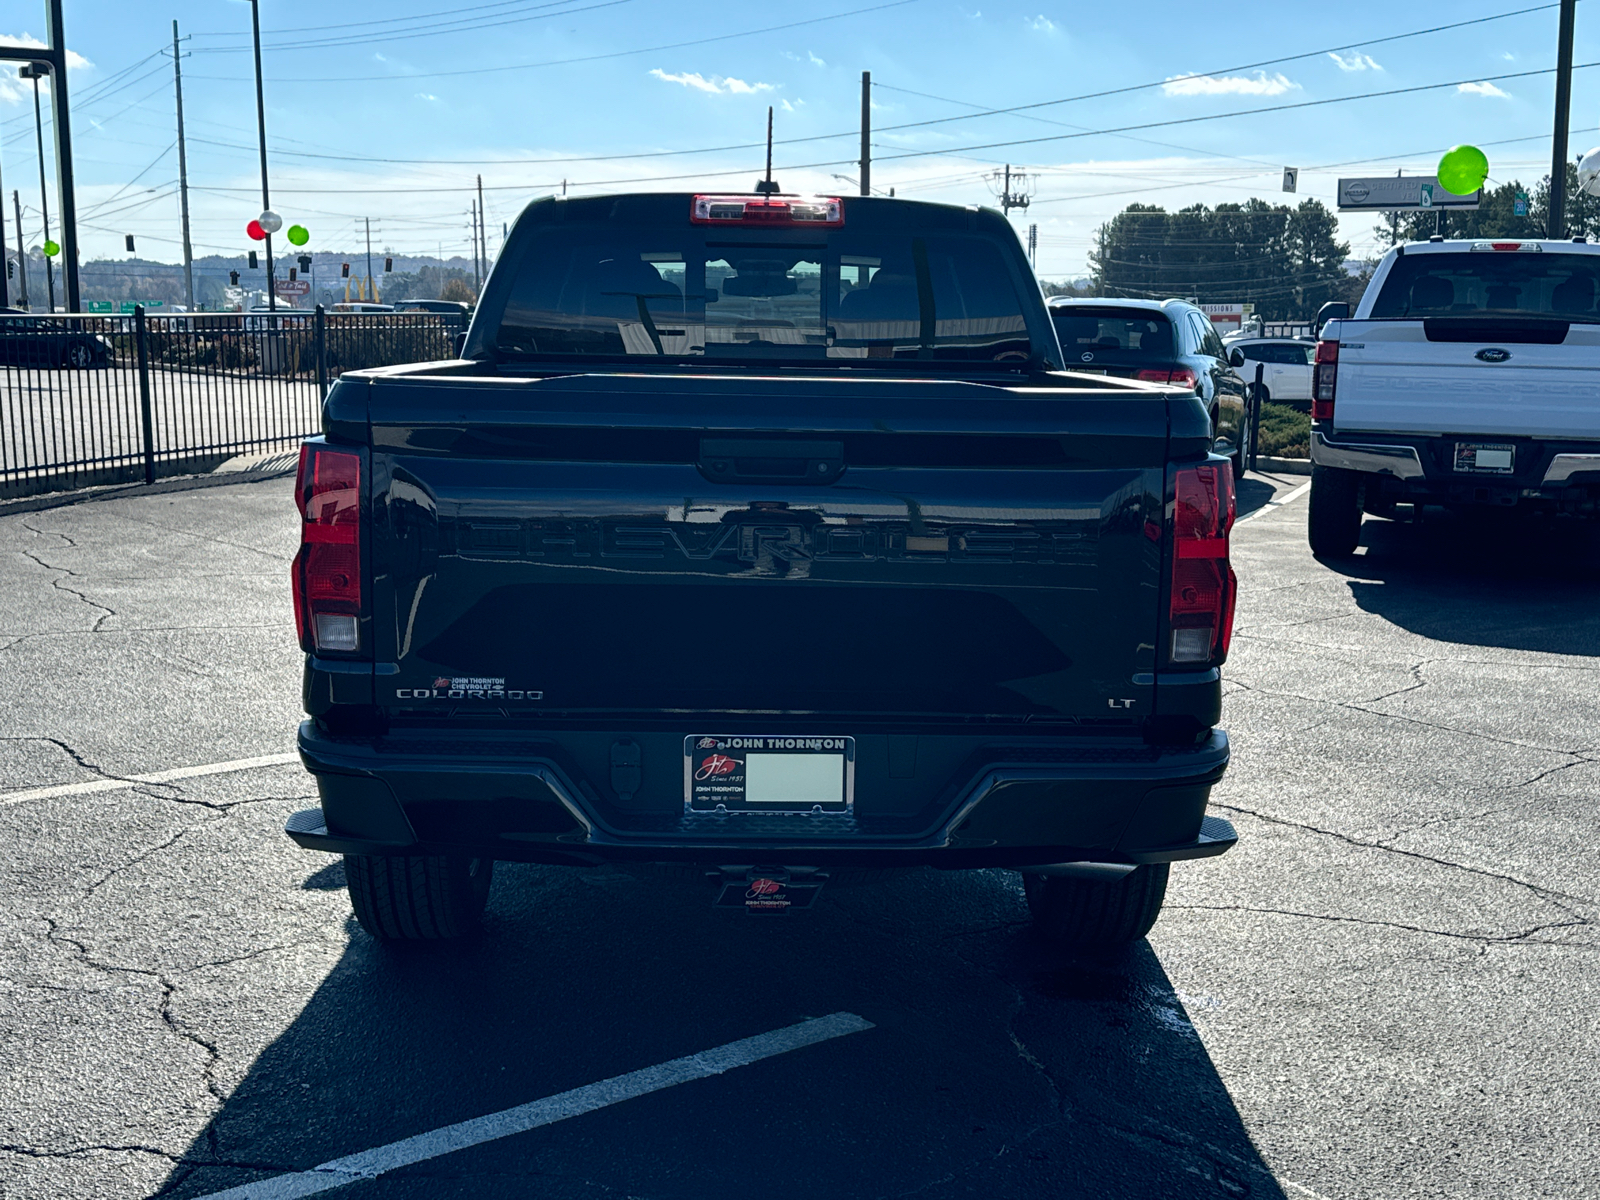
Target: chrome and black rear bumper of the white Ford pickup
(1423,470)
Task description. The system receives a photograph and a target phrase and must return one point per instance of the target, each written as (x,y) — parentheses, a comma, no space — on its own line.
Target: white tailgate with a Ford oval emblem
(1426,377)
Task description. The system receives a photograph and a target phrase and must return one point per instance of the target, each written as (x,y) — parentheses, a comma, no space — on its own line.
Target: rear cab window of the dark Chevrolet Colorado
(642,282)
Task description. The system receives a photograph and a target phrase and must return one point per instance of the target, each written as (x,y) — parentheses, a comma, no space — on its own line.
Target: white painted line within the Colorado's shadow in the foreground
(548,1111)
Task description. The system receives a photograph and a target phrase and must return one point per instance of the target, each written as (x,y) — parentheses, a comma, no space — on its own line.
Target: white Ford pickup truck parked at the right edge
(1470,375)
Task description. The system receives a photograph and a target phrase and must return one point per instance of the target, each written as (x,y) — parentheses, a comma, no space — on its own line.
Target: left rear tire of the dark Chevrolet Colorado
(418,897)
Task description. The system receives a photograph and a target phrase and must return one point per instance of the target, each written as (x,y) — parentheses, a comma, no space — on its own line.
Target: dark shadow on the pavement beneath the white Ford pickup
(1514,585)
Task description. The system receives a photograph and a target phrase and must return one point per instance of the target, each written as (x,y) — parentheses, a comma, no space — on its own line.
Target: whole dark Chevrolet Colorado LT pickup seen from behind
(762,540)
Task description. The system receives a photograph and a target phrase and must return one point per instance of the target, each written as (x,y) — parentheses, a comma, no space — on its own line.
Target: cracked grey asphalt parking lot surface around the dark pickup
(1388,990)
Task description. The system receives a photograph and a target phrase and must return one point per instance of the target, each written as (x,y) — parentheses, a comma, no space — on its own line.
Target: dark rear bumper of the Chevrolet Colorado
(1007,806)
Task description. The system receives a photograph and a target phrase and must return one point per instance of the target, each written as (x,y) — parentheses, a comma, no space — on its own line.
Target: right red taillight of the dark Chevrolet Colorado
(1204,586)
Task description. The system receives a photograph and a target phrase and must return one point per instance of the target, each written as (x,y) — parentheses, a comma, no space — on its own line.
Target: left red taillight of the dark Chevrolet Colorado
(327,574)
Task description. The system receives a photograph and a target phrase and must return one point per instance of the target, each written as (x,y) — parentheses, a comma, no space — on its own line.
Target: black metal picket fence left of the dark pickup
(134,398)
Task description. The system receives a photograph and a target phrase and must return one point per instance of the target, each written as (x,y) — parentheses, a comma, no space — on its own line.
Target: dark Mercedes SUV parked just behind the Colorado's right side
(1159,342)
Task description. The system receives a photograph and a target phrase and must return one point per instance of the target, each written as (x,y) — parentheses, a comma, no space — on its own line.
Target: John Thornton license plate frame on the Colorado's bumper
(769,774)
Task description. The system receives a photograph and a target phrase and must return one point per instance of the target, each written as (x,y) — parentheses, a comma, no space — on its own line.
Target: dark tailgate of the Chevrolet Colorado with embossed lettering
(588,546)
